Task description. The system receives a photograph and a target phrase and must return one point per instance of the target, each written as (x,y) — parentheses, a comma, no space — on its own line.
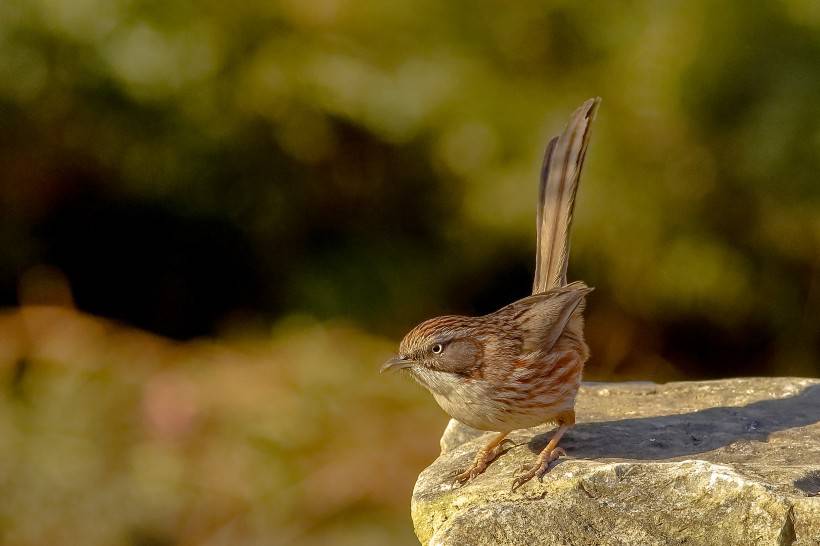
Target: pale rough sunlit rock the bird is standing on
(711,462)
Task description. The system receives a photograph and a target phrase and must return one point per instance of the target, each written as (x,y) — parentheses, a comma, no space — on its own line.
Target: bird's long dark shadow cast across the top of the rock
(671,436)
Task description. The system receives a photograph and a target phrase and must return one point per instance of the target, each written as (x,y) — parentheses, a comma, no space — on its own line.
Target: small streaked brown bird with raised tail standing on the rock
(521,365)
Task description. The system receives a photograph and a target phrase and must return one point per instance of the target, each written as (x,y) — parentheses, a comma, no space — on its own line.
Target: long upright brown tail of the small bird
(560,175)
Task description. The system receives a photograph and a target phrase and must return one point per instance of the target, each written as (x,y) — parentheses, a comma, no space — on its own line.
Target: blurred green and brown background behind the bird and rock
(218,219)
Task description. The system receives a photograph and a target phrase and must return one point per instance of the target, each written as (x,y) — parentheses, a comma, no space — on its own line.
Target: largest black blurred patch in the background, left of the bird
(150,265)
